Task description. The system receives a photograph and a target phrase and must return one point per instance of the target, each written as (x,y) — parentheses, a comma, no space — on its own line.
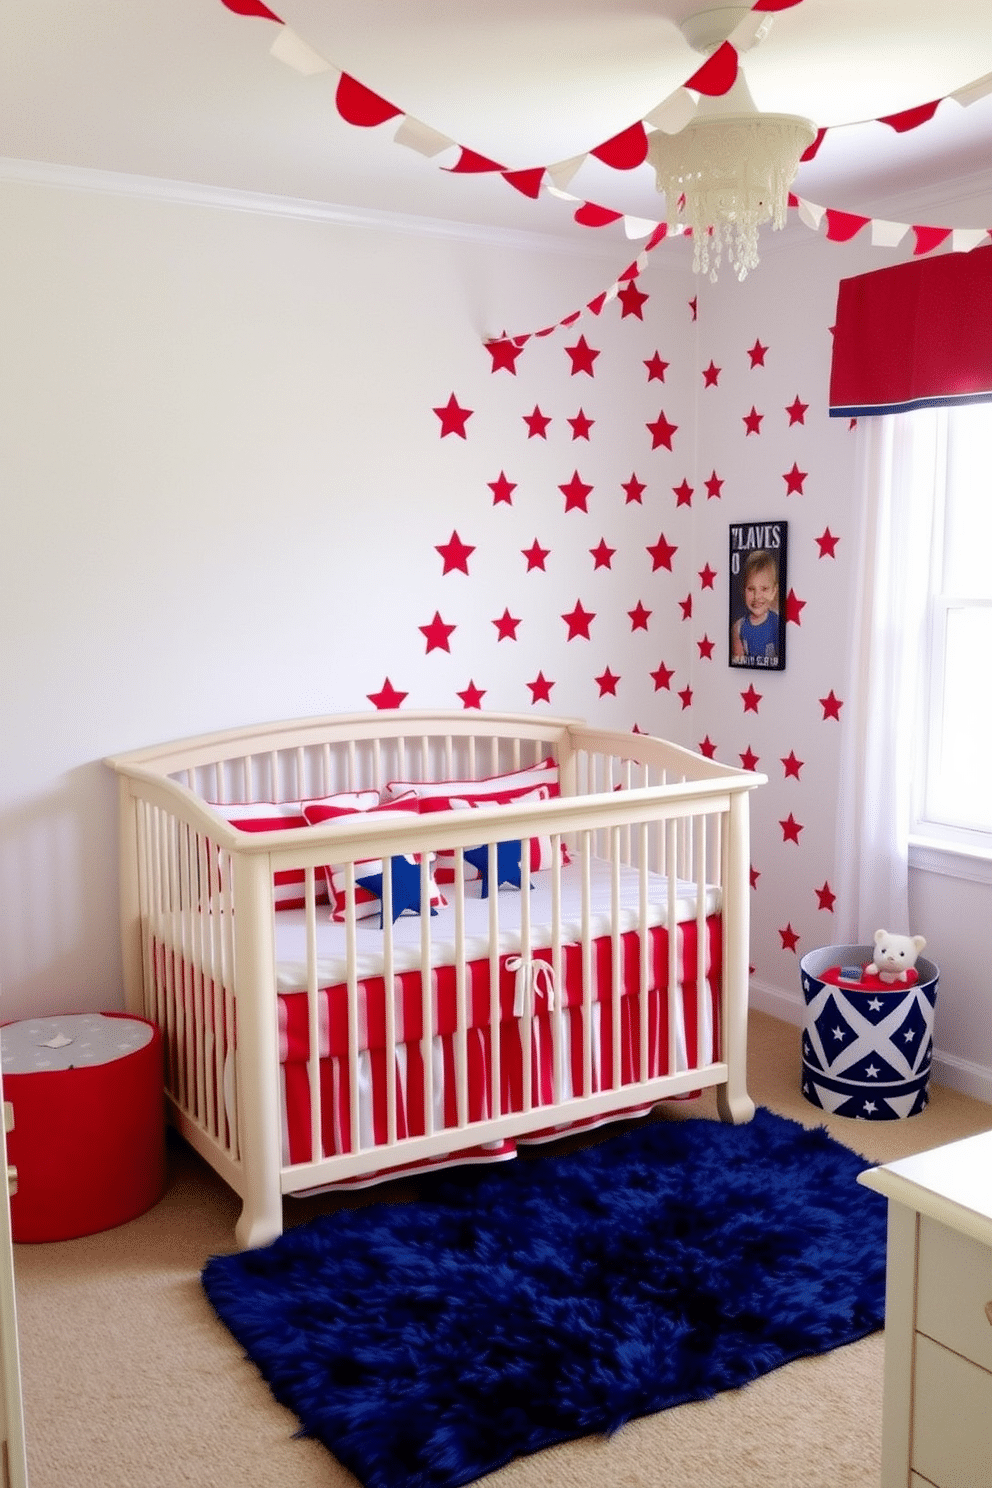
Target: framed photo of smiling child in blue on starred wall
(759,557)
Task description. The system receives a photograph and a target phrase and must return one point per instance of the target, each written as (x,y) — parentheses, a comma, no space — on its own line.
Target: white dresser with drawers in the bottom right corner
(938,1405)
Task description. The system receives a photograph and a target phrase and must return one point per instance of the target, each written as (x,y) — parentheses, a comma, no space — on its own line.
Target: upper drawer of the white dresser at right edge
(954,1291)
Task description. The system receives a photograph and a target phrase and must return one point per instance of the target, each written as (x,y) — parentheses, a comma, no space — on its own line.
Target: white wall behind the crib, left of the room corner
(224,486)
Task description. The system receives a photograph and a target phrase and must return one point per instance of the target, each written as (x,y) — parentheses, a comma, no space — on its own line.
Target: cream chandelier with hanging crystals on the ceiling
(727,173)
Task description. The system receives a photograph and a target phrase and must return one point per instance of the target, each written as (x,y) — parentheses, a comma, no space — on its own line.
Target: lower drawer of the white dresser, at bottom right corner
(953,1419)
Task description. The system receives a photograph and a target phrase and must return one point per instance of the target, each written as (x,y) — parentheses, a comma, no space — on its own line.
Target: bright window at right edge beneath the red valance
(954,776)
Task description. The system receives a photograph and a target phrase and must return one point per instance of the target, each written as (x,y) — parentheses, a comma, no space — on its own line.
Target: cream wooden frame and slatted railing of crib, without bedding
(200,940)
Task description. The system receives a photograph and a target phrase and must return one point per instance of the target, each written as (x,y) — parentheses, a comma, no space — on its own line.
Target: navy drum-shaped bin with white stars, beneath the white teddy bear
(868,1048)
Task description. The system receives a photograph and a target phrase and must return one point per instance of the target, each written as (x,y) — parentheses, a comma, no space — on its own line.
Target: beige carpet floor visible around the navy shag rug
(132,1383)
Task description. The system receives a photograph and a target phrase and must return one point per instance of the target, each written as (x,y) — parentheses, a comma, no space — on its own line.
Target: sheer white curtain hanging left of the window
(901,459)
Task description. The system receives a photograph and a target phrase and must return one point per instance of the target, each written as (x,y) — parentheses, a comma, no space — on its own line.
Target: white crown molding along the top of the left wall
(225,199)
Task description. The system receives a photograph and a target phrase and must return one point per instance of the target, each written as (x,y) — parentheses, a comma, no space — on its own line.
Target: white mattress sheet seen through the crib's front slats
(332,961)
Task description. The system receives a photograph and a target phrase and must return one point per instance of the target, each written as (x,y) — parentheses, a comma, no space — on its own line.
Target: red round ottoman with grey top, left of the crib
(88,1135)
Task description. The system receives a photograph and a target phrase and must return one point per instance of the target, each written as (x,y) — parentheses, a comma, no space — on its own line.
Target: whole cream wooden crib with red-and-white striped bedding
(605,972)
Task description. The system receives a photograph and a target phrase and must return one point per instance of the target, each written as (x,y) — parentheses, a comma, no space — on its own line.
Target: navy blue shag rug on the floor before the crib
(532,1303)
